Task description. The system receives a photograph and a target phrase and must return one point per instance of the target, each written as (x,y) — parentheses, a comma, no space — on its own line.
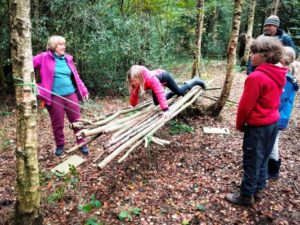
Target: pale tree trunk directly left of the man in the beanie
(250,23)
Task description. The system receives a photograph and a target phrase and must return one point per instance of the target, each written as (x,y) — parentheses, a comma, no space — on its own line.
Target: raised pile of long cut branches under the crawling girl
(128,128)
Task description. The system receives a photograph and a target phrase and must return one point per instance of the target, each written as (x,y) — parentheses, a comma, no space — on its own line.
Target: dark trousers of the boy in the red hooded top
(257,147)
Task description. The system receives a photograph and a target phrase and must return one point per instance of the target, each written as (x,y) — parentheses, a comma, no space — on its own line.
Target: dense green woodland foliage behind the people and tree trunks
(106,37)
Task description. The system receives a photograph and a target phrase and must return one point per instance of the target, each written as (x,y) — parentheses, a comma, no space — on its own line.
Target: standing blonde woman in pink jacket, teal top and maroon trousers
(60,89)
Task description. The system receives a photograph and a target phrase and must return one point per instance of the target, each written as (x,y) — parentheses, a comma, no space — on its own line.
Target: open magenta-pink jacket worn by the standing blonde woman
(45,63)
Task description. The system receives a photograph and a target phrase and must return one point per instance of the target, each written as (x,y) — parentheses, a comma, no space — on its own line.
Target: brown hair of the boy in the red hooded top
(270,47)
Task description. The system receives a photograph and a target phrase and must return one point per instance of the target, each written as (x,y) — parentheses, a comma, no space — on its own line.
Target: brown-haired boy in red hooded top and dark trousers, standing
(257,117)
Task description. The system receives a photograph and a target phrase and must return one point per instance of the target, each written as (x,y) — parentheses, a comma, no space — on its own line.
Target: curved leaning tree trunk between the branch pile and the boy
(217,107)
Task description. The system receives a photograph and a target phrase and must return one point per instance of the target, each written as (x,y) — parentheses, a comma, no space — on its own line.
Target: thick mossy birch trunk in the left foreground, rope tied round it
(28,196)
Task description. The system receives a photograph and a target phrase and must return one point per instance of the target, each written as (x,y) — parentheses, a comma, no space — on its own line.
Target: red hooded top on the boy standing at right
(260,100)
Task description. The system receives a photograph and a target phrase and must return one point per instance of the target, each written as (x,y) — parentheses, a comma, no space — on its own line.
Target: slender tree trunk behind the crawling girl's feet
(197,51)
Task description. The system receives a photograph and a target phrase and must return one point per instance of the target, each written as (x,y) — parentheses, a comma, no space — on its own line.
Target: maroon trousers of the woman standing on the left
(59,106)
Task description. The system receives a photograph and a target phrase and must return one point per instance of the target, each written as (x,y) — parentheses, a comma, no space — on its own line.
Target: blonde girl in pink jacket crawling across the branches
(141,79)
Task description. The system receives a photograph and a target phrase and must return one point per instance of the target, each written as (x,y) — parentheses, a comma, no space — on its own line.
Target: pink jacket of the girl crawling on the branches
(151,83)
